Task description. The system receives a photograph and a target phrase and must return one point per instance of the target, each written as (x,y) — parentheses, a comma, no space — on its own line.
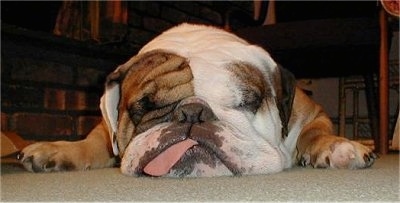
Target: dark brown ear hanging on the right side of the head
(285,97)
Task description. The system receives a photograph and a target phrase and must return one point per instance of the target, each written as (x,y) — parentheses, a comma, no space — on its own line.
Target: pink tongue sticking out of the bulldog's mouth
(163,162)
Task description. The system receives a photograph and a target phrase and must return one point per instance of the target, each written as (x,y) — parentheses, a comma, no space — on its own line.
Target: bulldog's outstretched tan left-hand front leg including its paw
(93,152)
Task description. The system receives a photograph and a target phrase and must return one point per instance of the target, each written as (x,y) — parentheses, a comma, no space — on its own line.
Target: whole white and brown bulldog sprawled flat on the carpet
(199,101)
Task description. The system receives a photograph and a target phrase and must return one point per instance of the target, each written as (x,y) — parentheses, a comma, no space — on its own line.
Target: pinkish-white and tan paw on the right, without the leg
(339,153)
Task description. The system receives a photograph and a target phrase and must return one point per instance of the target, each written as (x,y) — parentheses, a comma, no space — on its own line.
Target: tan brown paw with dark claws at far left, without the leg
(46,157)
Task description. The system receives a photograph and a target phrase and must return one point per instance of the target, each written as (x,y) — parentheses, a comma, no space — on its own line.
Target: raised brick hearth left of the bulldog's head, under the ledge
(51,86)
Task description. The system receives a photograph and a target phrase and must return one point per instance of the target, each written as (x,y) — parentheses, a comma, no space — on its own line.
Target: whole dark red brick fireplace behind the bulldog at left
(51,86)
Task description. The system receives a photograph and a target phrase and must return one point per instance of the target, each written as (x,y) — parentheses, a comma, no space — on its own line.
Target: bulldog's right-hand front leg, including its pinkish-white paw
(317,146)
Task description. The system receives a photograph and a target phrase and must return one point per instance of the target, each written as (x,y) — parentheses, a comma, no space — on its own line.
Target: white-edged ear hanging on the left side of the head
(109,104)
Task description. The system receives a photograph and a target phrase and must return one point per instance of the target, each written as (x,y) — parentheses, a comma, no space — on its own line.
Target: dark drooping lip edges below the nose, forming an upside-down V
(206,145)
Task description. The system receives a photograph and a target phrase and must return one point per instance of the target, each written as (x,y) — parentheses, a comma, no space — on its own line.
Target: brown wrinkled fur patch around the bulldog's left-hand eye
(151,86)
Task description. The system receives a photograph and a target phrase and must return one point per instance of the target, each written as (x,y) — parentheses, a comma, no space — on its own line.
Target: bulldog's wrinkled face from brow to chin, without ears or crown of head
(177,120)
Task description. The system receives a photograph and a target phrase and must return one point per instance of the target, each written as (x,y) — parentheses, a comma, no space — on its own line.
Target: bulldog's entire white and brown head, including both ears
(198,101)
